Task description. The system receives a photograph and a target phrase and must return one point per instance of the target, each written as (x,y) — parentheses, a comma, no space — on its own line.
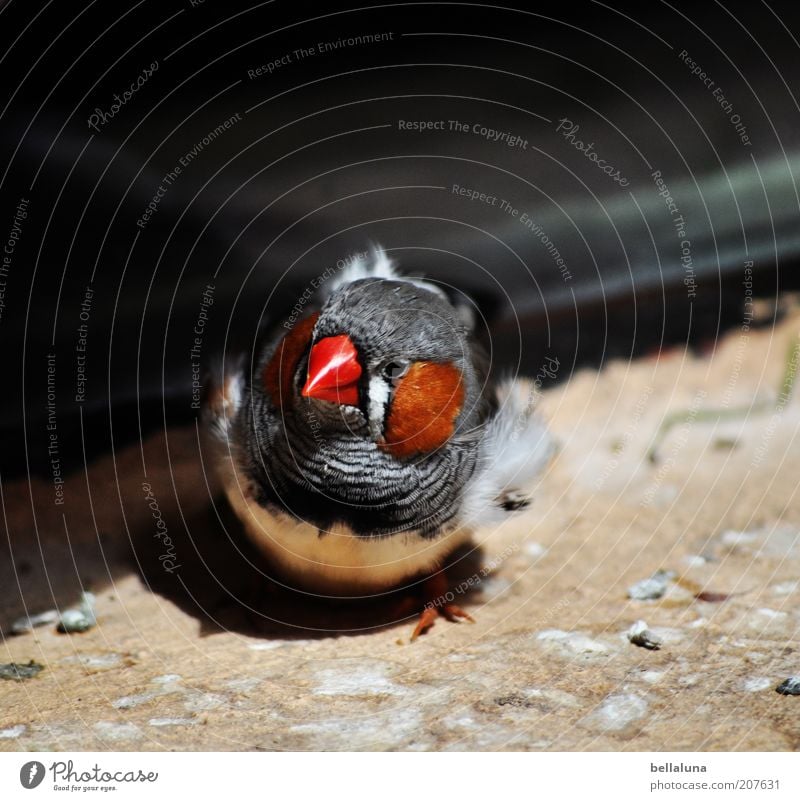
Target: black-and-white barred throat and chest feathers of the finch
(345,477)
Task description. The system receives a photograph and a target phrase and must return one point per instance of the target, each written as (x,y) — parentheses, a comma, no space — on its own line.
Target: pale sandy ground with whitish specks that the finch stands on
(546,666)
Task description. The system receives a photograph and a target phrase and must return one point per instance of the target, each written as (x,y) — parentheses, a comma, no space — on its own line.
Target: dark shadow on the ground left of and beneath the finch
(106,530)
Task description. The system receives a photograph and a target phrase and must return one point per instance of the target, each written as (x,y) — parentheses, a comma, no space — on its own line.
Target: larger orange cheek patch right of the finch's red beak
(424,409)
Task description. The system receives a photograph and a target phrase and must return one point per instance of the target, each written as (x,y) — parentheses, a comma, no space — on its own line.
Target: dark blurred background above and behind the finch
(647,154)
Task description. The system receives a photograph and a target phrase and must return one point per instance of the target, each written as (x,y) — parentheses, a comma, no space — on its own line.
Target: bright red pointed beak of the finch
(333,371)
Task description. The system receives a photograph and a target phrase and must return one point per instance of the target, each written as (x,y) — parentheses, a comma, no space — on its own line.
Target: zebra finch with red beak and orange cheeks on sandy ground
(364,439)
